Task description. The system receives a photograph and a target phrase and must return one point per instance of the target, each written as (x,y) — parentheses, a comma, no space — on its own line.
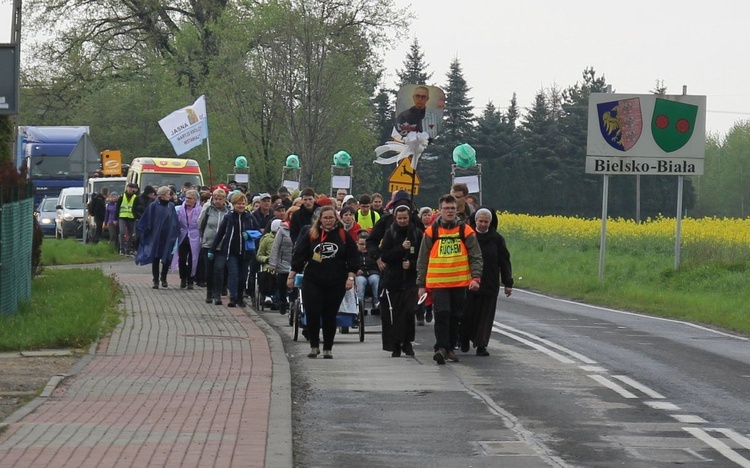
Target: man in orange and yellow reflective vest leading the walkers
(450,259)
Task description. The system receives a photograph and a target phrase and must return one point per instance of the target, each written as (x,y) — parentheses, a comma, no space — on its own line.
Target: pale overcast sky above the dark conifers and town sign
(523,46)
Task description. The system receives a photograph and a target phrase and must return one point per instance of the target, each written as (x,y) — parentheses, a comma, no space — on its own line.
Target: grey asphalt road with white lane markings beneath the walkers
(566,385)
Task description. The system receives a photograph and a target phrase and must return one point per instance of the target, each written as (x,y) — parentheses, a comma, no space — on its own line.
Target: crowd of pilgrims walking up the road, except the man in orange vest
(348,249)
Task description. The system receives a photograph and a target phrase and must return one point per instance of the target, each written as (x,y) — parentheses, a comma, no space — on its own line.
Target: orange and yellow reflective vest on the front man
(448,266)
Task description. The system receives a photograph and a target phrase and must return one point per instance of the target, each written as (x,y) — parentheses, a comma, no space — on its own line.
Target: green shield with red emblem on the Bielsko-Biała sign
(672,124)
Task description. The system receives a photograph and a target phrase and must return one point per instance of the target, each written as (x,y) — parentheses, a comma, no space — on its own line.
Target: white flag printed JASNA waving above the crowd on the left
(186,128)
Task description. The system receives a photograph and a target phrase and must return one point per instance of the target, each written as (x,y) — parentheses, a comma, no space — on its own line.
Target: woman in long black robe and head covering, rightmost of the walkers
(479,311)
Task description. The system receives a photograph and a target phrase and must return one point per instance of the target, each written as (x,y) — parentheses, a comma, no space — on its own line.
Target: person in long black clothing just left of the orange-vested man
(399,251)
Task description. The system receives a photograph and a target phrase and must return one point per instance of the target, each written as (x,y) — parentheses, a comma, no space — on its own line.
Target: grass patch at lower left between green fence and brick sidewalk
(69,308)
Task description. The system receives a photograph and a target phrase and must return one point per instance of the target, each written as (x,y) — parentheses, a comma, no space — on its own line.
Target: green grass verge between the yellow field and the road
(713,294)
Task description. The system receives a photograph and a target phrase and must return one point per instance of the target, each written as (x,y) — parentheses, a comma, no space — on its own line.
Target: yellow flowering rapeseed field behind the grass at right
(703,240)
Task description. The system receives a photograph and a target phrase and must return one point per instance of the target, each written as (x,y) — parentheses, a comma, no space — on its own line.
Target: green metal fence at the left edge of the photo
(16,240)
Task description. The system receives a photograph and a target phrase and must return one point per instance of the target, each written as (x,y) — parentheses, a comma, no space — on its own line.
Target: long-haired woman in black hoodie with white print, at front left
(328,256)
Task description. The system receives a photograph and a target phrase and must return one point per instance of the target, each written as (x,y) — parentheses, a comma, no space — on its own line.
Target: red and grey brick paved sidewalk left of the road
(179,383)
